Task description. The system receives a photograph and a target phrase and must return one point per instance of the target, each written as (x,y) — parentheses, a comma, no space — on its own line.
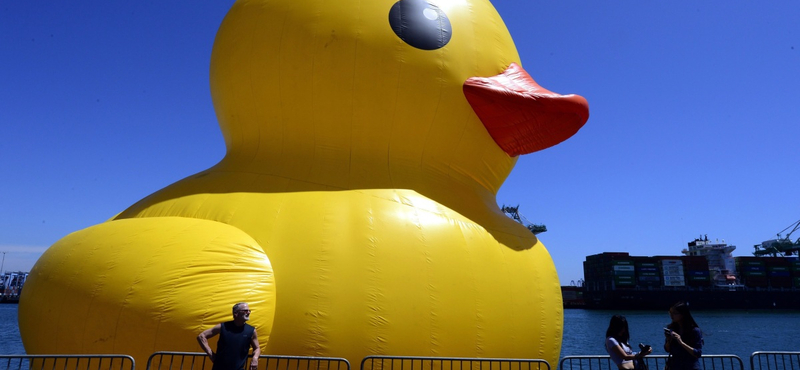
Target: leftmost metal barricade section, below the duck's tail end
(66,362)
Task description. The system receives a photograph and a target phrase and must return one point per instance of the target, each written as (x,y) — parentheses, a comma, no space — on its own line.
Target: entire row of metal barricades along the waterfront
(761,360)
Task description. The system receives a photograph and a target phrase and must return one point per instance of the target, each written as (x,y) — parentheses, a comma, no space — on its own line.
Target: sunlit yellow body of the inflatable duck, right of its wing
(388,271)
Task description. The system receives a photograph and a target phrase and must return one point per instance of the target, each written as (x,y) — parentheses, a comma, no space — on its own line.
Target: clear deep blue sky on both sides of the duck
(693,127)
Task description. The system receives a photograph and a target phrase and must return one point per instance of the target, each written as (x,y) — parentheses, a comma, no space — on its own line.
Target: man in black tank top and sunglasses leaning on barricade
(235,340)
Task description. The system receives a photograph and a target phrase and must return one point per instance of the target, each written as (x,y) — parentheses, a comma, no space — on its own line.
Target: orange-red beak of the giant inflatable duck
(521,116)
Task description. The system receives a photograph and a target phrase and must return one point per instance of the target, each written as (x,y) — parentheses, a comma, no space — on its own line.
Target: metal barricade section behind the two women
(654,362)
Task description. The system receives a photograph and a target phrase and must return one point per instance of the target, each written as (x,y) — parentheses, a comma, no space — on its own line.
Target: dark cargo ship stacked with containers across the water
(706,275)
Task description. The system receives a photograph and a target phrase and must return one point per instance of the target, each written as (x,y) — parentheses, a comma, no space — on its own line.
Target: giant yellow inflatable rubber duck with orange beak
(354,210)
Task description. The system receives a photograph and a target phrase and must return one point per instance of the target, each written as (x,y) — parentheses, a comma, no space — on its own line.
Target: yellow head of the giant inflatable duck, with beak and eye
(380,93)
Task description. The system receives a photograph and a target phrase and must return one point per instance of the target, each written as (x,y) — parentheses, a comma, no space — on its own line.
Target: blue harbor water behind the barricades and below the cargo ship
(735,332)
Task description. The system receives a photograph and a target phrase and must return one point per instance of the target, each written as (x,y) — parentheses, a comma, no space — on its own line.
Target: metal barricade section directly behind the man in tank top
(200,361)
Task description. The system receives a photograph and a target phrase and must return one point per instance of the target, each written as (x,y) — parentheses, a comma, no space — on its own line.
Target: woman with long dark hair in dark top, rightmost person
(683,339)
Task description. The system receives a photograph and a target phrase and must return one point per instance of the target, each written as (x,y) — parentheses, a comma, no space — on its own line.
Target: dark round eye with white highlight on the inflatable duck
(420,24)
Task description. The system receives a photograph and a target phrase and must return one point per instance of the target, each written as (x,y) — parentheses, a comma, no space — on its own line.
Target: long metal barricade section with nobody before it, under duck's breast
(450,363)
